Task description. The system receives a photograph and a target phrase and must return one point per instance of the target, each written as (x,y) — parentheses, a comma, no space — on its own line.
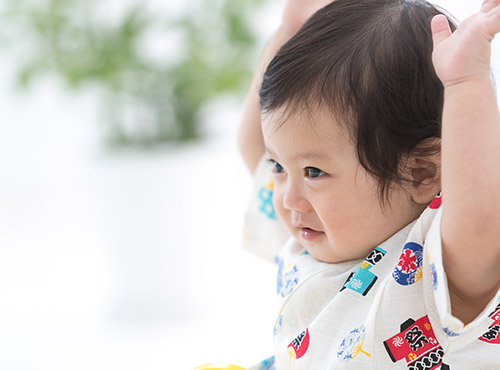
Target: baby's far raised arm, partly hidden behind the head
(250,140)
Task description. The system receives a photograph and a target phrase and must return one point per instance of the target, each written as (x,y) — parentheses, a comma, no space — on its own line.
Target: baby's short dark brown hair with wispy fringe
(369,62)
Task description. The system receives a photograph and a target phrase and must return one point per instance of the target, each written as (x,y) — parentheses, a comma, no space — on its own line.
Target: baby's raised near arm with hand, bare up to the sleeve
(470,160)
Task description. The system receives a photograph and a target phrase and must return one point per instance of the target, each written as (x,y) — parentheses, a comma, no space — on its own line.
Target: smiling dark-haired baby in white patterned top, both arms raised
(368,112)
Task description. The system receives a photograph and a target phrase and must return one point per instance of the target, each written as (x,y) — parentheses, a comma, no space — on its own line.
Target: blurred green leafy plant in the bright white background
(147,101)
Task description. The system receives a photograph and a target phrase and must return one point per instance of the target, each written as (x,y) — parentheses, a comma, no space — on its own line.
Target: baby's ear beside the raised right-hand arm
(424,170)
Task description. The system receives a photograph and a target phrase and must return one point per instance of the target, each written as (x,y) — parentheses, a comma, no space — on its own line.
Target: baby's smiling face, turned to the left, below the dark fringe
(325,197)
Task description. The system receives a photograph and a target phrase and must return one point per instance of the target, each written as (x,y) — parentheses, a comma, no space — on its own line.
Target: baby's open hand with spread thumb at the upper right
(465,54)
